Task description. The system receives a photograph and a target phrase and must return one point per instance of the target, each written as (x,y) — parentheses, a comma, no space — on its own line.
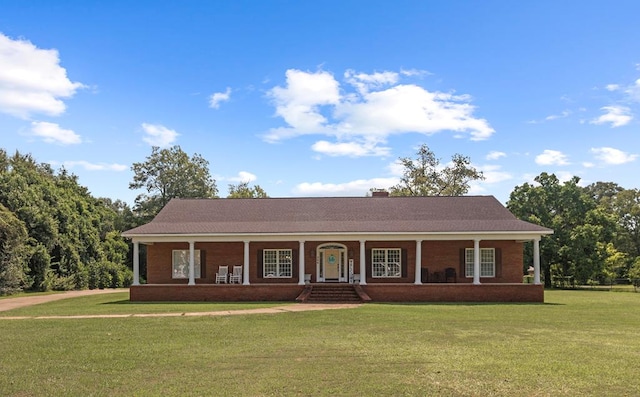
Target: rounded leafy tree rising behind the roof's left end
(170,173)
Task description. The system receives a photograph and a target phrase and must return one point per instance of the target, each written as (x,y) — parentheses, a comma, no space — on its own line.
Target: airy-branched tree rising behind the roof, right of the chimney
(425,177)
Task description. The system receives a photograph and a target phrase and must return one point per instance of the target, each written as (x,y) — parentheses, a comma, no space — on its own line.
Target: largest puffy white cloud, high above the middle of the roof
(365,110)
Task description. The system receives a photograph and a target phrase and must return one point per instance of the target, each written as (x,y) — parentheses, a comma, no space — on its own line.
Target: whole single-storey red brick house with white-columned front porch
(402,249)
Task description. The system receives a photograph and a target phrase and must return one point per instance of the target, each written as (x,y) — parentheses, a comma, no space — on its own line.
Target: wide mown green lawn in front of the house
(577,343)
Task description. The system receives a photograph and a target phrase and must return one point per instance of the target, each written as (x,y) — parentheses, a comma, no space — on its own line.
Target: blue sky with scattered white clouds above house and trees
(322,98)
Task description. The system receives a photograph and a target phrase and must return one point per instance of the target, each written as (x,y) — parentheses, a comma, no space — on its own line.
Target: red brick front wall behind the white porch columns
(436,257)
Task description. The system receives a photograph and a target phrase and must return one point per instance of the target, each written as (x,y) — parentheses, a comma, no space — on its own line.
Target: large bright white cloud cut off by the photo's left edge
(32,80)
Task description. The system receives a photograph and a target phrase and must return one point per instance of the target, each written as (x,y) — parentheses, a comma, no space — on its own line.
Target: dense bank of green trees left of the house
(70,237)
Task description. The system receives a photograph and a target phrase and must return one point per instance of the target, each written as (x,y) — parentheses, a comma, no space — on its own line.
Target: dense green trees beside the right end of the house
(585,244)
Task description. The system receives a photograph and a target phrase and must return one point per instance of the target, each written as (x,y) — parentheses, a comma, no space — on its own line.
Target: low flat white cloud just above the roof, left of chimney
(358,187)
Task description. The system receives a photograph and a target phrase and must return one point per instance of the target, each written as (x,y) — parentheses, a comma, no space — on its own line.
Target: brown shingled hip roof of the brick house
(441,214)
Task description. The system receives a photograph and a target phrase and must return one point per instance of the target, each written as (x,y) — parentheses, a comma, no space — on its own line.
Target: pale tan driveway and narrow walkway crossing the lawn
(13,303)
